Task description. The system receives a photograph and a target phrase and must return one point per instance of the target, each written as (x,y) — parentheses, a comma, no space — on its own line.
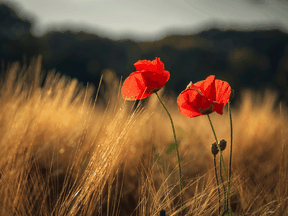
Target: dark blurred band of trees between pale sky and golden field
(257,59)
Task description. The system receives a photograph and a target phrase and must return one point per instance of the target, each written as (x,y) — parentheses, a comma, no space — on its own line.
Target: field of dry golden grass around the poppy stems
(64,153)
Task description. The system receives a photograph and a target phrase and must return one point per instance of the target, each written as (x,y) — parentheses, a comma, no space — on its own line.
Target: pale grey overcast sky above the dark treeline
(147,19)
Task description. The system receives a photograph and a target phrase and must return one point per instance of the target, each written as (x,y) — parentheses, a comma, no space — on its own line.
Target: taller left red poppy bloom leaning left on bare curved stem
(149,78)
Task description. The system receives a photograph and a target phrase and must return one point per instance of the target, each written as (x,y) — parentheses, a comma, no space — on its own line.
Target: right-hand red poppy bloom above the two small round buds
(204,97)
